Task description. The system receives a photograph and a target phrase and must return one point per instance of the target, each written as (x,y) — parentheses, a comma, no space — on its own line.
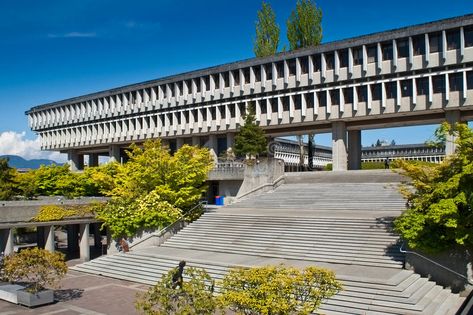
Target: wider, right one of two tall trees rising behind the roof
(304,27)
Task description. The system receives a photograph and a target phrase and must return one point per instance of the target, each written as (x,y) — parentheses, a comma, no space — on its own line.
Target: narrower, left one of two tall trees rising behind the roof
(267,32)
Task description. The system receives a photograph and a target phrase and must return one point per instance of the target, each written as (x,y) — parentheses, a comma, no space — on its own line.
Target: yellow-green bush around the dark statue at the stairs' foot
(195,296)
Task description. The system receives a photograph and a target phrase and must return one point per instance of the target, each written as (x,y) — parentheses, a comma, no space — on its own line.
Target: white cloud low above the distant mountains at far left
(14,143)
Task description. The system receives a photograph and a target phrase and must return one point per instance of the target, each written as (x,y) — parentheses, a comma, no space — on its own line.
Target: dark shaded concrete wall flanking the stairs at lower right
(457,259)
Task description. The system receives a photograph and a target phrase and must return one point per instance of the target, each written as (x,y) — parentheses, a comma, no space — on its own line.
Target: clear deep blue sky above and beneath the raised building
(56,49)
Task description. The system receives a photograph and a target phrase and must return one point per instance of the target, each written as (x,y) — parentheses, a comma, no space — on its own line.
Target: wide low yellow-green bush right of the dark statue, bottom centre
(277,289)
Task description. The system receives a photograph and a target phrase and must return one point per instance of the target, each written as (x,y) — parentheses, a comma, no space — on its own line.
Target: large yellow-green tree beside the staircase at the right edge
(440,213)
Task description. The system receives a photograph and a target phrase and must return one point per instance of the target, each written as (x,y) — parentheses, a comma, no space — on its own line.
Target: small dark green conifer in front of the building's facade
(250,140)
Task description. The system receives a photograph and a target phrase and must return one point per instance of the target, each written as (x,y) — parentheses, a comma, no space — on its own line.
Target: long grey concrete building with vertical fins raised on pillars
(410,76)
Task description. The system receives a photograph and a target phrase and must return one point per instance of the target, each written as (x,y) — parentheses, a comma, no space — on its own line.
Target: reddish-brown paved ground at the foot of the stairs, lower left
(86,294)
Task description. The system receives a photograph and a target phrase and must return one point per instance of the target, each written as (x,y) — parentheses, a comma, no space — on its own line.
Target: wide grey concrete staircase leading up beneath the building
(340,221)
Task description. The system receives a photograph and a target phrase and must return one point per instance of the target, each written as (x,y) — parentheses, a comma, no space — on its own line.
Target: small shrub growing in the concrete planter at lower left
(38,267)
